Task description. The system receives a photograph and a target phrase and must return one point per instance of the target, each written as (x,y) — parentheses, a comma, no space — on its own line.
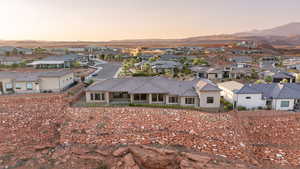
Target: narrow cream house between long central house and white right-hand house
(229,90)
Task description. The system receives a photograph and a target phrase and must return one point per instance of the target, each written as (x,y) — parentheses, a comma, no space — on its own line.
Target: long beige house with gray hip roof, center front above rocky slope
(155,90)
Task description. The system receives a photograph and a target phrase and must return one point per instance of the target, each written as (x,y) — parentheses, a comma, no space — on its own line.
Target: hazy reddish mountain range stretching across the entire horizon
(287,35)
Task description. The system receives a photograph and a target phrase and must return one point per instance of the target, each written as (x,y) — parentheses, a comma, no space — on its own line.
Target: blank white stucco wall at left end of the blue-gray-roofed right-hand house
(255,101)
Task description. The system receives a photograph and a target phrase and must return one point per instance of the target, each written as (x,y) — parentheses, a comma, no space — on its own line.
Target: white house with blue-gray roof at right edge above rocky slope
(275,96)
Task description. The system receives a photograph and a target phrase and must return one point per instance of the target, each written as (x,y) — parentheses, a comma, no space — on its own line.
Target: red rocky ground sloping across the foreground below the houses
(43,131)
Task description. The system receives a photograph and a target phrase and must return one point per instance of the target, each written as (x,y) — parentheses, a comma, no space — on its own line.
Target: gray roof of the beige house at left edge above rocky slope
(32,76)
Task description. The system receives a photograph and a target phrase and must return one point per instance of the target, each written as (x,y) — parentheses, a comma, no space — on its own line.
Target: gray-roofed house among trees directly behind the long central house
(164,66)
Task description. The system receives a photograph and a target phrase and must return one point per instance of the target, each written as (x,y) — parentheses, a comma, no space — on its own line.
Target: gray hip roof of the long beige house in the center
(151,85)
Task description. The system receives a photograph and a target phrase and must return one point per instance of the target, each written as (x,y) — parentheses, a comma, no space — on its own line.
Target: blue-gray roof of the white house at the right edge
(273,91)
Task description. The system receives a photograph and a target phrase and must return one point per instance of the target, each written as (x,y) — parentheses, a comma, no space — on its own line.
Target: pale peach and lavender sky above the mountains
(104,20)
